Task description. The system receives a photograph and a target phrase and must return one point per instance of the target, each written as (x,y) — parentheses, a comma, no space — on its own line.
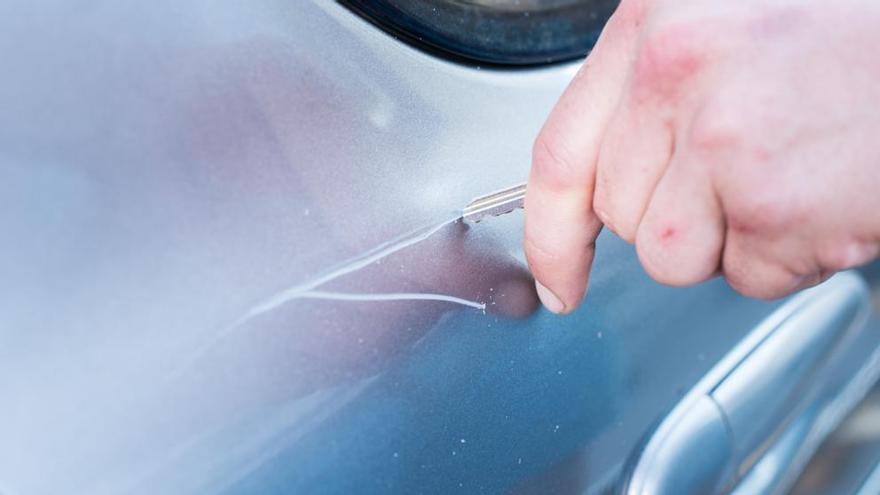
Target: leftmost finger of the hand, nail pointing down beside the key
(561,227)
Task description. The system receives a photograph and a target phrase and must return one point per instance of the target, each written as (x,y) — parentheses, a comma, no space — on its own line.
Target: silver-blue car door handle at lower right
(756,398)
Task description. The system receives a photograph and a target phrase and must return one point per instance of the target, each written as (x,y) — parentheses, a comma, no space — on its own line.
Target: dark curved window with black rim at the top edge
(505,32)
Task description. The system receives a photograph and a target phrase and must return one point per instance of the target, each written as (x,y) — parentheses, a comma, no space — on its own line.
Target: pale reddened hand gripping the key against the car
(739,139)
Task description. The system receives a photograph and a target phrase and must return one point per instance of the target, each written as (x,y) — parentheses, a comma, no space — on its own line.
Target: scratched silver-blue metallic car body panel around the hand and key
(167,166)
